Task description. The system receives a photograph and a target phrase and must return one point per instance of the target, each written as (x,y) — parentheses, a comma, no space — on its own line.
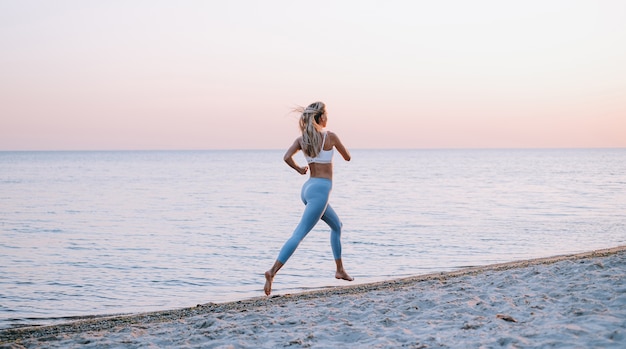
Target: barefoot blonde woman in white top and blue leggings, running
(318,148)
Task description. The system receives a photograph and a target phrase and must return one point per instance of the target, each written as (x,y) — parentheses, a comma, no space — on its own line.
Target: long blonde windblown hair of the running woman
(310,127)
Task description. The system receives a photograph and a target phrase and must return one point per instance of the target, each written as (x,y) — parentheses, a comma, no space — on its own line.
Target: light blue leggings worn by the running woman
(315,193)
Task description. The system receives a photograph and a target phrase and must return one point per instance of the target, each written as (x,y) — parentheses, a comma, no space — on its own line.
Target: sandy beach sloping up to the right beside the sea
(568,301)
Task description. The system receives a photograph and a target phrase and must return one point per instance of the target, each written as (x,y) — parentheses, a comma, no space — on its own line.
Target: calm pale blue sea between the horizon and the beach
(86,233)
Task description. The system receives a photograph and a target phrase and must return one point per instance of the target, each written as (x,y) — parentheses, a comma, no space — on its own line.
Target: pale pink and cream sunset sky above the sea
(154,74)
